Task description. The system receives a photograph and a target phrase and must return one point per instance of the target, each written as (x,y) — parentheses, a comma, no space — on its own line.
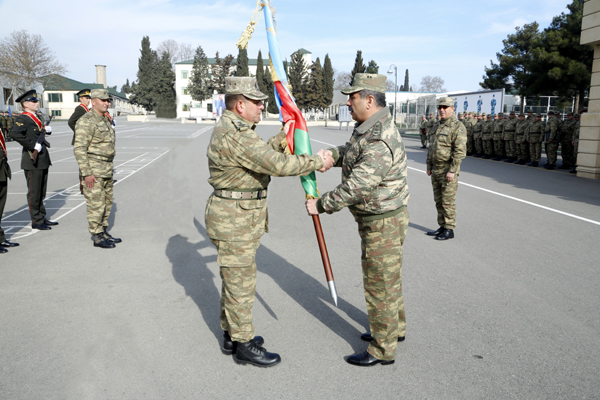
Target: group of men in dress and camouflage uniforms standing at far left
(94,149)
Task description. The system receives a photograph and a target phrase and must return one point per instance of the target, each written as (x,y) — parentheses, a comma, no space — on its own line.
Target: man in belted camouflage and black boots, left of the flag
(241,165)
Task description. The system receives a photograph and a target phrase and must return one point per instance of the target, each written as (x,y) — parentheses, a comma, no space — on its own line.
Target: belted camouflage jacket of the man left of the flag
(239,160)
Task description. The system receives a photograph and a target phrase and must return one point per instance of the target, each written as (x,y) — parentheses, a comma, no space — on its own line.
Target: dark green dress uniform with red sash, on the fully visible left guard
(26,131)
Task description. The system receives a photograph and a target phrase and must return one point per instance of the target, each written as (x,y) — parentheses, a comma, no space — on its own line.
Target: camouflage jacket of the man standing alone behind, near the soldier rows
(448,148)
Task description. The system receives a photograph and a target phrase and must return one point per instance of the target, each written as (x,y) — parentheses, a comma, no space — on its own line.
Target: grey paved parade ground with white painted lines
(507,309)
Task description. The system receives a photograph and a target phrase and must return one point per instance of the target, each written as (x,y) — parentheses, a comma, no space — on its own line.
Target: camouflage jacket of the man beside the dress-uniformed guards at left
(94,146)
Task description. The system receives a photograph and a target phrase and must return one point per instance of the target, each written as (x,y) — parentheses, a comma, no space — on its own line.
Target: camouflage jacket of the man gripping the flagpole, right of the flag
(374,174)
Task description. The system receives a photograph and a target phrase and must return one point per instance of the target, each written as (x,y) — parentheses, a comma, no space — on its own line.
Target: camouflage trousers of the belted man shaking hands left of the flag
(237,267)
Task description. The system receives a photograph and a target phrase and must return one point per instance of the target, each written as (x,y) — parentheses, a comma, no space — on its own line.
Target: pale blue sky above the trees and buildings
(453,40)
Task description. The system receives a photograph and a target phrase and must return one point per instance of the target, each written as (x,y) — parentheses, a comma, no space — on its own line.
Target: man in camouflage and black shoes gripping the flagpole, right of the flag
(375,190)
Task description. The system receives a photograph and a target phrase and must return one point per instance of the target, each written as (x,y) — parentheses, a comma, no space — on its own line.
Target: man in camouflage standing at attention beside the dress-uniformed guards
(94,151)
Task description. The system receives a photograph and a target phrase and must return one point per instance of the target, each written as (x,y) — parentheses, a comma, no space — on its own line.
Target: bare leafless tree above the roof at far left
(25,59)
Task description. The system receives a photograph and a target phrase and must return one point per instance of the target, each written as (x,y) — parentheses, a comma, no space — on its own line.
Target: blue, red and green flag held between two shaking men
(297,137)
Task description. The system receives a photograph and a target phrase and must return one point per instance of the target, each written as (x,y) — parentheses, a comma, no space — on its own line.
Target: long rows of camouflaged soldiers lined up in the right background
(516,139)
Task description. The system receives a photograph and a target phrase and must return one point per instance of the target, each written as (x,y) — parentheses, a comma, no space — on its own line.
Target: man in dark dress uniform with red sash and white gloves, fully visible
(26,131)
